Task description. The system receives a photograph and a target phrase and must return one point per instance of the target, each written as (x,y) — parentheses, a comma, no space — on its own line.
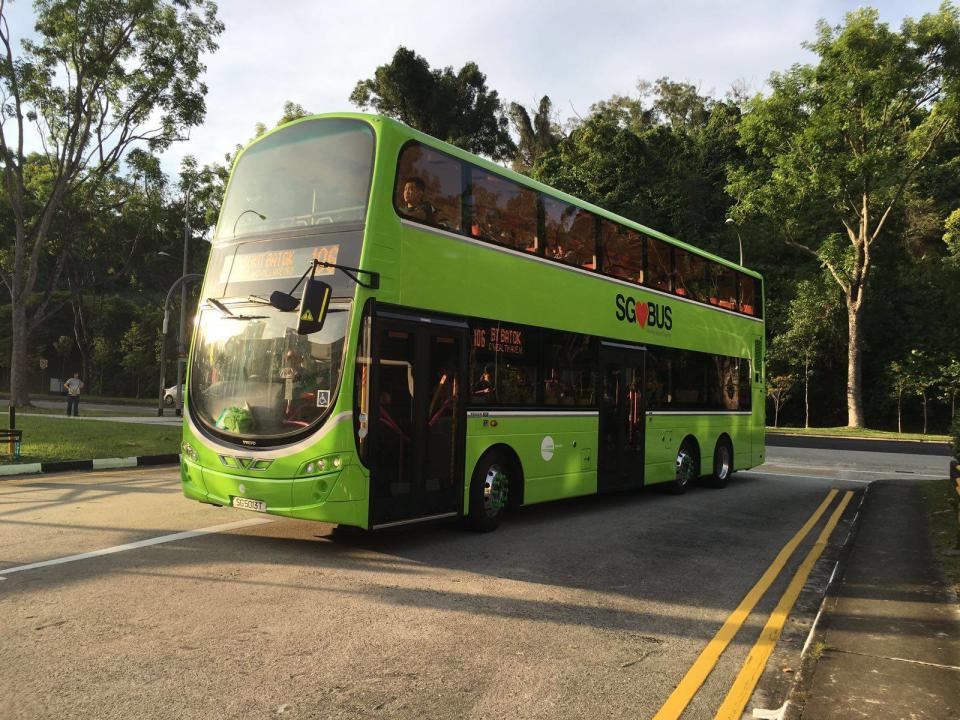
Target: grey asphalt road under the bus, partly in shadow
(591,608)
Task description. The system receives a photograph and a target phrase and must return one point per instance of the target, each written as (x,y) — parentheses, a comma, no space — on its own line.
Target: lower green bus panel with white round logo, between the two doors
(557,454)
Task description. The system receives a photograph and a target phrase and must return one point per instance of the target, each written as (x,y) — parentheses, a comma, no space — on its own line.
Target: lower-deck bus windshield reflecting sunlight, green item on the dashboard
(254,377)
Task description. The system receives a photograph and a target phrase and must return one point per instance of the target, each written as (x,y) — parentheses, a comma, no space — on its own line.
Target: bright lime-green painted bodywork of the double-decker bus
(441,272)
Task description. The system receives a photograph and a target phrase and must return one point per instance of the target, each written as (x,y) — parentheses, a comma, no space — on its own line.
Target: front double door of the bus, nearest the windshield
(417,440)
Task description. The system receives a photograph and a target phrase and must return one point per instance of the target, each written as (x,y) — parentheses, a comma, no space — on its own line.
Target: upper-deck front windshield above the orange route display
(316,172)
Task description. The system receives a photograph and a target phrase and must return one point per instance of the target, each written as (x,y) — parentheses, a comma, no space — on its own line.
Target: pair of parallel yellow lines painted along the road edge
(739,694)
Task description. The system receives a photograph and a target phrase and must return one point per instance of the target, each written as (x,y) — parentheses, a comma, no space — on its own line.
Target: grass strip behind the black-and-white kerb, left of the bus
(61,438)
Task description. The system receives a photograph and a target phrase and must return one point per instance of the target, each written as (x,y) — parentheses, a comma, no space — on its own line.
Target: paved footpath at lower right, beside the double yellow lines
(890,630)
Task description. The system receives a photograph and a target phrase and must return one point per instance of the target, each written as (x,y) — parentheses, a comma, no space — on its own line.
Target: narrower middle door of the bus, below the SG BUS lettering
(622,417)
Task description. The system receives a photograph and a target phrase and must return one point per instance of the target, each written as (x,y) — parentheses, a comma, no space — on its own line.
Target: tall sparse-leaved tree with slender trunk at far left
(99,79)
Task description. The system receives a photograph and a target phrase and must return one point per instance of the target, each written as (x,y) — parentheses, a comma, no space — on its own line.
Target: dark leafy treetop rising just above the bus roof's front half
(454,106)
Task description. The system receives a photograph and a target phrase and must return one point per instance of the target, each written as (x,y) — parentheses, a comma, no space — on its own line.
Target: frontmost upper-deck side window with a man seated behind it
(429,187)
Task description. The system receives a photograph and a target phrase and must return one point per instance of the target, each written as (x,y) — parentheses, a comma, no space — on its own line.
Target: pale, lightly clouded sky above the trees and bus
(313,52)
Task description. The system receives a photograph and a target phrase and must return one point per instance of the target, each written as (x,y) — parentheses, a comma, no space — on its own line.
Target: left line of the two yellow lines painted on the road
(698,672)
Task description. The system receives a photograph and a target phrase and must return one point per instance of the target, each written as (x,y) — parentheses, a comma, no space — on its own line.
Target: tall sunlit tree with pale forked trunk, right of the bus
(844,140)
